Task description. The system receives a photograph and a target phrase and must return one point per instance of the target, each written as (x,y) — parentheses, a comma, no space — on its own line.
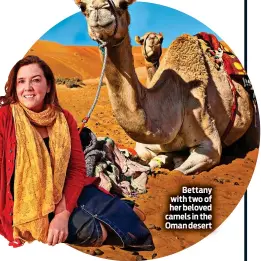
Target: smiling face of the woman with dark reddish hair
(31,87)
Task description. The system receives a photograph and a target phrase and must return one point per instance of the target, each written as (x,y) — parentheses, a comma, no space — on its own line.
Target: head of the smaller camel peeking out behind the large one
(151,45)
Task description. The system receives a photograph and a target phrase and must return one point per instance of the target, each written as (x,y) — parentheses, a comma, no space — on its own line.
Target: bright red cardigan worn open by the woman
(75,178)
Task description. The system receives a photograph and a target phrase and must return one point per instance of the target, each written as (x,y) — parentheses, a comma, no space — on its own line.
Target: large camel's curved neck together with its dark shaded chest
(142,112)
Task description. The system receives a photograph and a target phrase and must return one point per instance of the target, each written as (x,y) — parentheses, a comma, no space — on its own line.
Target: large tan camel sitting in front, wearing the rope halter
(186,106)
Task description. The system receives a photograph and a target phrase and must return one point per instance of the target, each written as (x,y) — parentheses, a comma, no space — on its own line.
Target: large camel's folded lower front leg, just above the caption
(202,157)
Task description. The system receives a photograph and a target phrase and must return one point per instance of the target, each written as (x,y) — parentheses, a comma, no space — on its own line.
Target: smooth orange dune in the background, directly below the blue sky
(74,61)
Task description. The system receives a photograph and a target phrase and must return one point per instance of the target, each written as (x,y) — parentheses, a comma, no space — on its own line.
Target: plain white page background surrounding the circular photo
(23,22)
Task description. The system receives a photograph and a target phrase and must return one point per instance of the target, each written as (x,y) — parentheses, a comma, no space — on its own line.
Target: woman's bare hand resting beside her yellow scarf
(58,229)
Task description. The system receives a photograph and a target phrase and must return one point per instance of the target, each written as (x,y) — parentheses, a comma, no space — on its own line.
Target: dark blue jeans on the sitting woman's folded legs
(122,224)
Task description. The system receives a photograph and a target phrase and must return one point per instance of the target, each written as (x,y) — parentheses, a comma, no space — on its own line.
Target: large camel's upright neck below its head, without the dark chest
(125,90)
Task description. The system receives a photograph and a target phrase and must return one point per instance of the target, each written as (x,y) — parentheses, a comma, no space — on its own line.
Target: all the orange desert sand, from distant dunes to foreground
(229,180)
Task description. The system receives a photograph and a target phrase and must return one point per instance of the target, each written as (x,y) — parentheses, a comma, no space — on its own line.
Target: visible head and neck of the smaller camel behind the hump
(151,50)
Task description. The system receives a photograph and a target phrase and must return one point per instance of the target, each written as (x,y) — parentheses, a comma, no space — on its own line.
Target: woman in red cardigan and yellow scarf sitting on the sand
(45,194)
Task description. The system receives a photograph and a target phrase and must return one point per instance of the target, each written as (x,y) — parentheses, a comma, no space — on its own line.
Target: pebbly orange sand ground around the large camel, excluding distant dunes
(229,180)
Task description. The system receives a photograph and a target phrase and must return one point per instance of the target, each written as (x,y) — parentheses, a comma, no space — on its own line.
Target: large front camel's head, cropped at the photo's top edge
(108,20)
